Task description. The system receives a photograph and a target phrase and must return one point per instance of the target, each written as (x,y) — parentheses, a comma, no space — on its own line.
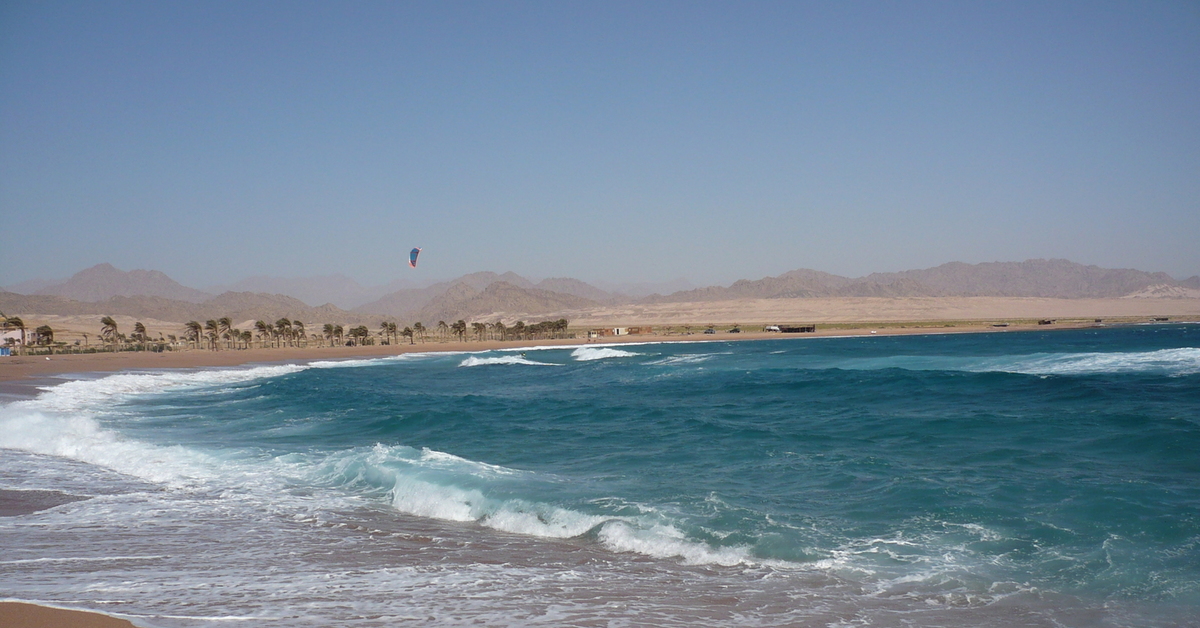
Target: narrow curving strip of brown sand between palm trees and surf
(26,372)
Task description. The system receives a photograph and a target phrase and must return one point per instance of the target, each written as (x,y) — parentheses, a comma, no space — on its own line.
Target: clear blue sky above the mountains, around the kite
(603,141)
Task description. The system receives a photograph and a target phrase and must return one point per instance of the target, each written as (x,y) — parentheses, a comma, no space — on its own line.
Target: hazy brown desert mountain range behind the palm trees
(105,290)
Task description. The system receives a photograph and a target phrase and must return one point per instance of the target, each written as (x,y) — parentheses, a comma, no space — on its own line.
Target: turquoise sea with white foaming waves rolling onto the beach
(965,480)
